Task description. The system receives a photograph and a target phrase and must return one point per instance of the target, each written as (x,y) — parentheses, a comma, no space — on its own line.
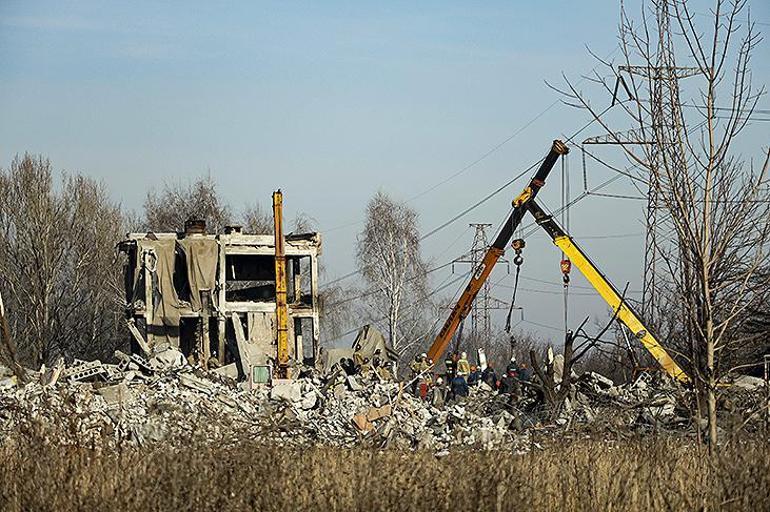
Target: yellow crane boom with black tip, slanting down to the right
(608,292)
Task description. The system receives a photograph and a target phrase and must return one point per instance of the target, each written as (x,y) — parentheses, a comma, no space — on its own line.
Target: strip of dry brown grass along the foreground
(576,475)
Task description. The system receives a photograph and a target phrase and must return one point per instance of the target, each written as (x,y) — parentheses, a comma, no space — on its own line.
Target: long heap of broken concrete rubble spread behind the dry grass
(137,402)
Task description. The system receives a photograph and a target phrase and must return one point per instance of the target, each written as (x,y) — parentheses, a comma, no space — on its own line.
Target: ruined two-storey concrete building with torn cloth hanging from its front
(213,297)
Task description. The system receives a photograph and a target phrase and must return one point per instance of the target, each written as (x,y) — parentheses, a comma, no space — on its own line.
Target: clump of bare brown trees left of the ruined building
(58,270)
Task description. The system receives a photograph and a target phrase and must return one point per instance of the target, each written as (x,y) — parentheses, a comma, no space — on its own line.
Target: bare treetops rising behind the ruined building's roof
(176,203)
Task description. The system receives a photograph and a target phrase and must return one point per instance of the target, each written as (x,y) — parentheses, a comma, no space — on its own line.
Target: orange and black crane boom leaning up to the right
(495,251)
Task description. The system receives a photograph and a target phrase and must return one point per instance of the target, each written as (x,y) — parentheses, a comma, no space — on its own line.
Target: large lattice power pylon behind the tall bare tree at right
(665,119)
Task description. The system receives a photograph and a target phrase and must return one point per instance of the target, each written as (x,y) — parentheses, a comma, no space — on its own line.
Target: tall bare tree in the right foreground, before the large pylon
(716,204)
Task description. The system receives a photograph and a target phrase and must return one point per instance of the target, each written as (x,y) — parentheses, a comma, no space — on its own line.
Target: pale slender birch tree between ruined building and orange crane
(388,253)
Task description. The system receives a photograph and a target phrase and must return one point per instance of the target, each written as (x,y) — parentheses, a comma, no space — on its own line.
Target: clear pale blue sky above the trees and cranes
(329,101)
